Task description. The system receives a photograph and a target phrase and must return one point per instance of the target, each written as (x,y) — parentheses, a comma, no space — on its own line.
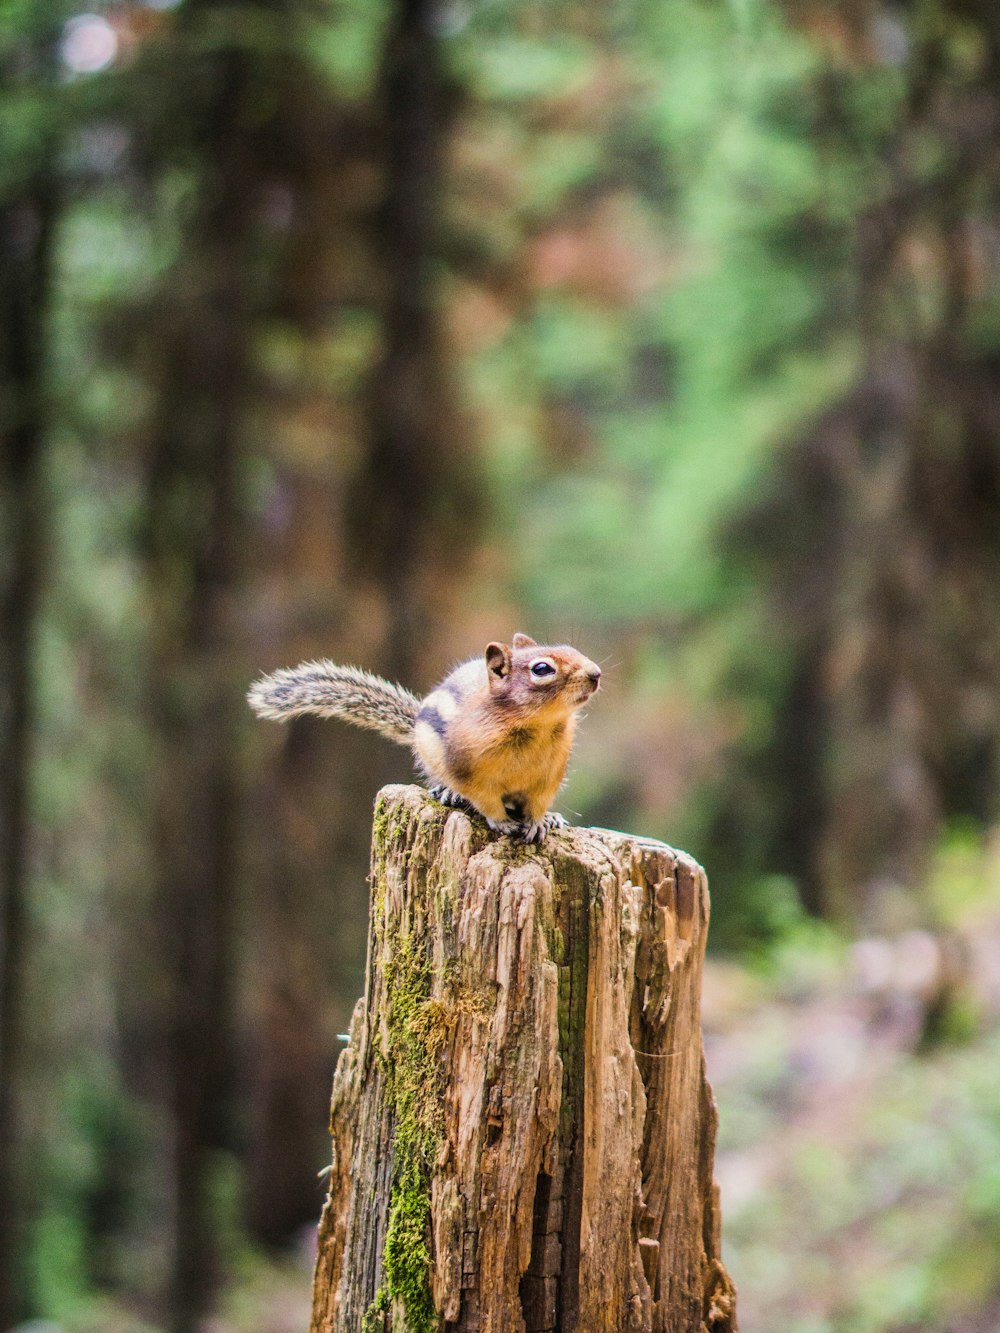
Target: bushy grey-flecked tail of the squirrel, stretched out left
(333,691)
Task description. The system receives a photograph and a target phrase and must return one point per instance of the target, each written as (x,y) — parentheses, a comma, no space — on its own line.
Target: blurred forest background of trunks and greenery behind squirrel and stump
(382,329)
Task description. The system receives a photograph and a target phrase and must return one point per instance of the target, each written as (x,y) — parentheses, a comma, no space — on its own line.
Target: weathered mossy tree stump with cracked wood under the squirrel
(523,1134)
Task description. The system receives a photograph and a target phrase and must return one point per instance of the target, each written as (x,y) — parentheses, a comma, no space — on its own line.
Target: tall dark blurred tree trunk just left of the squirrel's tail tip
(194,554)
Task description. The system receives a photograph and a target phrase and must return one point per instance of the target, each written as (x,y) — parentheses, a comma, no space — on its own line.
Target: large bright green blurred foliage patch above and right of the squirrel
(735,334)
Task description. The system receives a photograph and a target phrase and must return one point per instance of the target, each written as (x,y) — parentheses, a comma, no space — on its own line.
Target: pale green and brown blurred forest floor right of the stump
(859,1148)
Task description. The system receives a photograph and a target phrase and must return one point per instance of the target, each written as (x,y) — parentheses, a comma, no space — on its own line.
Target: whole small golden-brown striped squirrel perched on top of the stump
(494,736)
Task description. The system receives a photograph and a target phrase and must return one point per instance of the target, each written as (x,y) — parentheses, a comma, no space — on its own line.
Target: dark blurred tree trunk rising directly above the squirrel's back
(417,503)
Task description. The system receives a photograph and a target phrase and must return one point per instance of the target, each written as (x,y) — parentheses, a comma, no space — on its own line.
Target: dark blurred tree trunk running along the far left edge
(29,213)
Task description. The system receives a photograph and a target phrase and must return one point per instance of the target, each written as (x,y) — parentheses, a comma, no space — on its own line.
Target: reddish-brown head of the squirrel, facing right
(539,678)
